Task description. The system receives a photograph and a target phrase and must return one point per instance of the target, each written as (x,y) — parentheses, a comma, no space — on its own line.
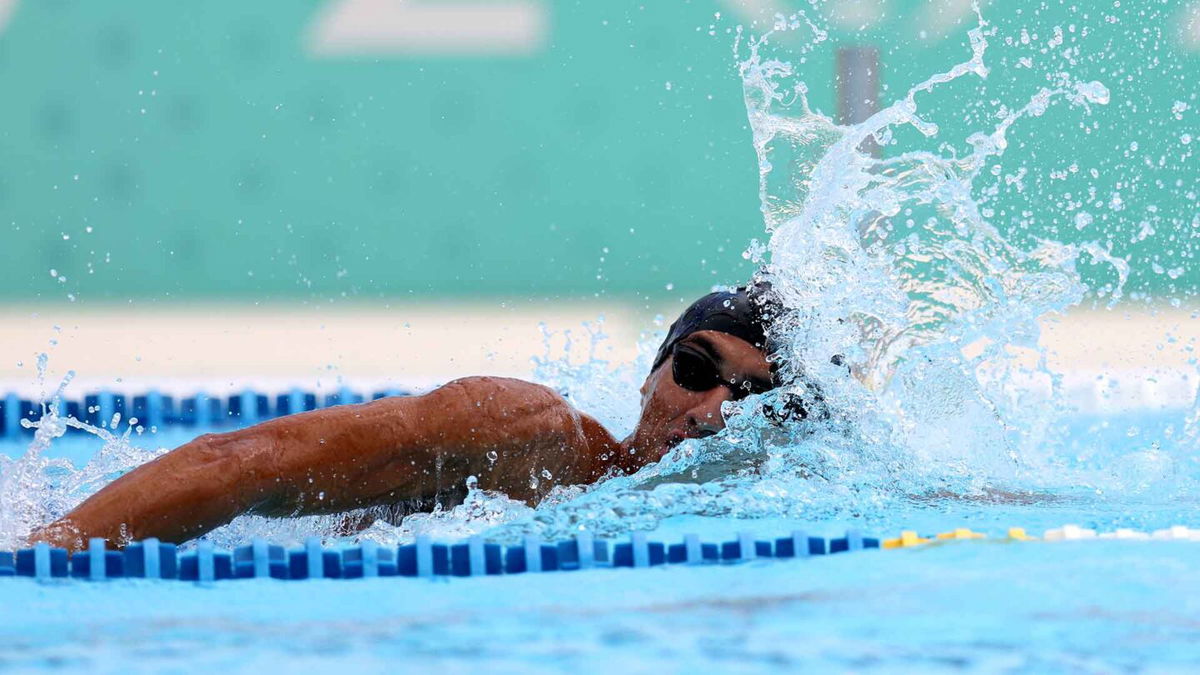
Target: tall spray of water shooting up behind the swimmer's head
(892,262)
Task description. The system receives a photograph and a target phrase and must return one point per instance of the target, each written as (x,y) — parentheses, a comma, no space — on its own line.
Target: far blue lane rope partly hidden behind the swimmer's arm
(157,410)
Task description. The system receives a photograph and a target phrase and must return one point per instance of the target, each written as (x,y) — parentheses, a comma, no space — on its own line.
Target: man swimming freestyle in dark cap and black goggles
(508,434)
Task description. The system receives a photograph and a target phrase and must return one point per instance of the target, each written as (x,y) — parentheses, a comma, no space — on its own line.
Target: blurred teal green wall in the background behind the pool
(213,157)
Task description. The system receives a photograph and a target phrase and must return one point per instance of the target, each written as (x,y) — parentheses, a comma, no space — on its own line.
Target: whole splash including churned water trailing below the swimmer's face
(892,265)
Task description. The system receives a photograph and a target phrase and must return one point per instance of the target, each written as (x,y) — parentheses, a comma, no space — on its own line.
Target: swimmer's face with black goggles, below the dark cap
(683,401)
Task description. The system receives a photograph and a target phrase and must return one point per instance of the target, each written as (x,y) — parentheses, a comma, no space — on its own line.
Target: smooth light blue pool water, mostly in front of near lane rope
(1091,606)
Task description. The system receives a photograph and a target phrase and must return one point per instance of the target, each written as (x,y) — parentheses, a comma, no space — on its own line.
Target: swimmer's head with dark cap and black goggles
(717,351)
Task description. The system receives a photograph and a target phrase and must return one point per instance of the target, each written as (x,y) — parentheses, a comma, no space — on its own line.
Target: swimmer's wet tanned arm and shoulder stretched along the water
(508,434)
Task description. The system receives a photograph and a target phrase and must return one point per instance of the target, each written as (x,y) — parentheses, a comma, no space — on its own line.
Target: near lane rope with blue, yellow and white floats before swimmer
(152,559)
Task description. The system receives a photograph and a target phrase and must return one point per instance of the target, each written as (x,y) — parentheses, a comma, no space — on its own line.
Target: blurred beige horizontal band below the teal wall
(225,348)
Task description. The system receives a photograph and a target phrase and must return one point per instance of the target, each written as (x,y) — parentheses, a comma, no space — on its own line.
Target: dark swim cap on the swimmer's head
(743,314)
